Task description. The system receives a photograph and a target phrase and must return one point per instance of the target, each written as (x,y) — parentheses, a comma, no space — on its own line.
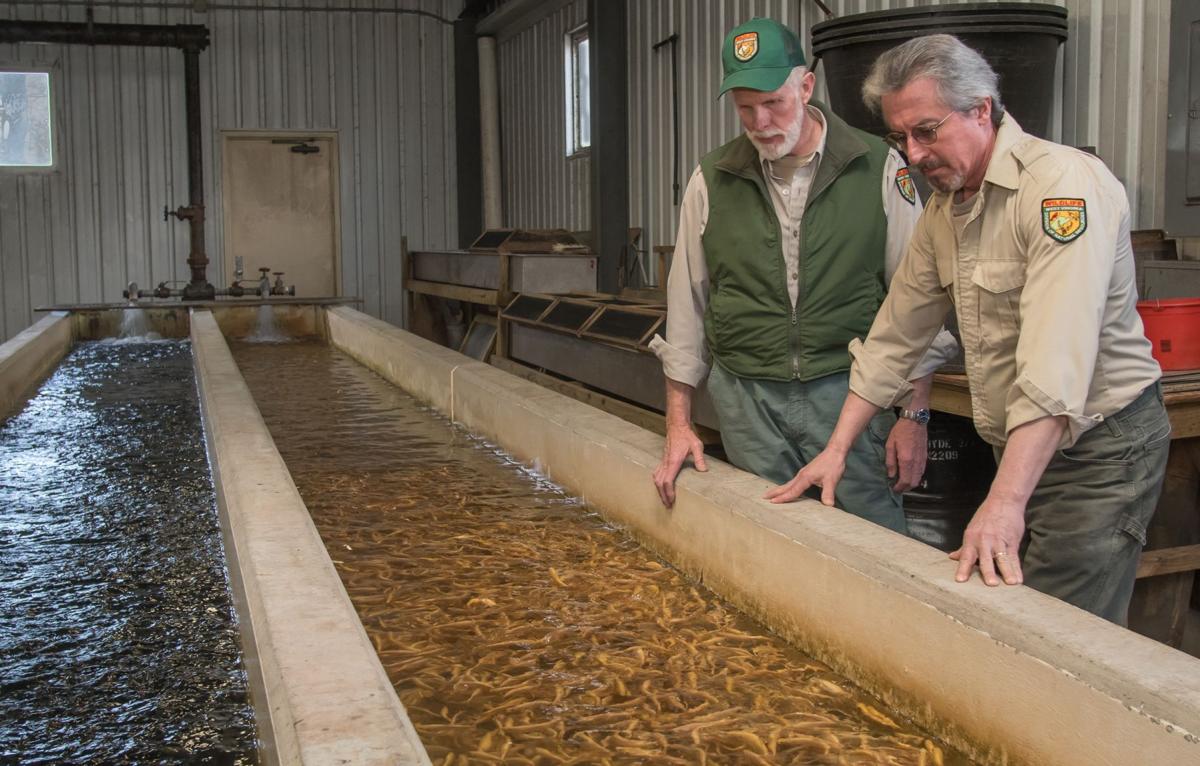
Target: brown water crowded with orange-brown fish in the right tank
(518,626)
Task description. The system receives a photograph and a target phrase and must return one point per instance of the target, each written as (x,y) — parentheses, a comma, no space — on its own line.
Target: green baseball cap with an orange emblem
(760,55)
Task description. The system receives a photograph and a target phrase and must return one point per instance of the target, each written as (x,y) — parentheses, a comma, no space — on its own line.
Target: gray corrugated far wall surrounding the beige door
(385,81)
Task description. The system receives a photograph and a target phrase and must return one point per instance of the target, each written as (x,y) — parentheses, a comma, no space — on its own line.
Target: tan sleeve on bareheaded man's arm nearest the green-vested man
(905,327)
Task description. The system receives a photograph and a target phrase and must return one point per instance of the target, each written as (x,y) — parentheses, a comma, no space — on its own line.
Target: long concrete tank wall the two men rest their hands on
(1009,674)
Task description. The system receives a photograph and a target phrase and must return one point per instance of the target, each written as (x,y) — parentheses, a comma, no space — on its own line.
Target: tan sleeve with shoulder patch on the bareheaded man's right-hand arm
(1064,300)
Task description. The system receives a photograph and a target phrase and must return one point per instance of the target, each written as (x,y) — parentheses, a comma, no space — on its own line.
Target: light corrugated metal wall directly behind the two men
(1114,92)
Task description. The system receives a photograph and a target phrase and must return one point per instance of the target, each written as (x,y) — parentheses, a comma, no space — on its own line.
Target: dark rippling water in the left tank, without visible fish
(118,642)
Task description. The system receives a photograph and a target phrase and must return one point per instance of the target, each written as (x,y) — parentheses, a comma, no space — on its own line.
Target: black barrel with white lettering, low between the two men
(958,476)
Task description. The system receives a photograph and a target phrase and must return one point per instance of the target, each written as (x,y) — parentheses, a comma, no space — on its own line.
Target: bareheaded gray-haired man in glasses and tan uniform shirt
(1029,243)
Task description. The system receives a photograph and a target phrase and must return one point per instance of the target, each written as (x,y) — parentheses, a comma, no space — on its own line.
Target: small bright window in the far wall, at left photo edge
(26,140)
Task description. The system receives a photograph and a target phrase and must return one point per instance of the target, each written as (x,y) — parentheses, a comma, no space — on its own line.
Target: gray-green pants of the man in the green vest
(775,428)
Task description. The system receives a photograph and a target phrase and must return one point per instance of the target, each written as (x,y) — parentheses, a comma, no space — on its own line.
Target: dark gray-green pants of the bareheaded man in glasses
(1088,518)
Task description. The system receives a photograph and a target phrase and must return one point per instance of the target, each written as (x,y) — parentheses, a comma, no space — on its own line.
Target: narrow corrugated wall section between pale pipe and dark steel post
(543,187)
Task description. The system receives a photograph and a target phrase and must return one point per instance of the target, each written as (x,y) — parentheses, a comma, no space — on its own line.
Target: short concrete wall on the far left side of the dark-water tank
(27,358)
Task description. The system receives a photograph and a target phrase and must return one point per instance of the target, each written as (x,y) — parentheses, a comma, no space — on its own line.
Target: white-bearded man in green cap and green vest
(789,236)
